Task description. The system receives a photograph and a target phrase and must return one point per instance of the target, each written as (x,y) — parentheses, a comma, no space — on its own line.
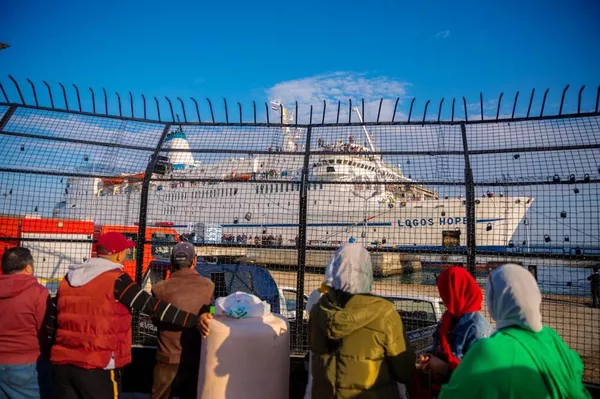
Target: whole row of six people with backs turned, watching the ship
(76,345)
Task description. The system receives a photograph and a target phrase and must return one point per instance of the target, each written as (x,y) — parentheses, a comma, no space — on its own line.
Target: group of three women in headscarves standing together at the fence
(359,349)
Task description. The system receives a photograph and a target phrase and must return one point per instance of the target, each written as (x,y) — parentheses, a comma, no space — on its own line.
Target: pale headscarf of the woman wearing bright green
(513,298)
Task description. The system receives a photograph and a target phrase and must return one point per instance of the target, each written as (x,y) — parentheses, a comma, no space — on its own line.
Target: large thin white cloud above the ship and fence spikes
(340,87)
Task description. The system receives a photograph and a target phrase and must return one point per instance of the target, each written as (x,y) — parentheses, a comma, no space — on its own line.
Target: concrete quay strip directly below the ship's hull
(384,263)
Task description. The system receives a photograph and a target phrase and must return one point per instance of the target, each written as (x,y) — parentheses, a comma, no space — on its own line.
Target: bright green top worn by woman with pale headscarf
(517,363)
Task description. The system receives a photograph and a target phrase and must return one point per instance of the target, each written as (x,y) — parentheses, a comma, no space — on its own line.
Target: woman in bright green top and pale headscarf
(523,358)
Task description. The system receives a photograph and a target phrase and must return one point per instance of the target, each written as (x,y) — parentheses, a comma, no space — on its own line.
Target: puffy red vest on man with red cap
(92,326)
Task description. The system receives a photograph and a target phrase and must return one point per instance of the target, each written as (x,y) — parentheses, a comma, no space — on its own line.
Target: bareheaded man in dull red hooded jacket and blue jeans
(26,320)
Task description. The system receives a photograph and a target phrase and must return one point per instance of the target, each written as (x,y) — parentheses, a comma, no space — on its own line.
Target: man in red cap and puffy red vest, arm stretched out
(93,332)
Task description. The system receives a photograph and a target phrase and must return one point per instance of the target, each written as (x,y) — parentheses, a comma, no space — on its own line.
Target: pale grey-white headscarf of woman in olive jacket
(350,270)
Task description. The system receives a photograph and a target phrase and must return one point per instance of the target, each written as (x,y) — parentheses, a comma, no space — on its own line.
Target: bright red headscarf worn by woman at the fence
(461,295)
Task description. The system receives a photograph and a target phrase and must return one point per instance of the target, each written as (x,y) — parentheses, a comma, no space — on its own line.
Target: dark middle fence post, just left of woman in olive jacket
(301,246)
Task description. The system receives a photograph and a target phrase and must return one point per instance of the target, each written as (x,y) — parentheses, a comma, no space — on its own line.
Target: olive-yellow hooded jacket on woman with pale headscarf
(358,346)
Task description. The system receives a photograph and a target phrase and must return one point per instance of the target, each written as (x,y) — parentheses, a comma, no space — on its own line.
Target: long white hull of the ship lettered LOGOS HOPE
(336,213)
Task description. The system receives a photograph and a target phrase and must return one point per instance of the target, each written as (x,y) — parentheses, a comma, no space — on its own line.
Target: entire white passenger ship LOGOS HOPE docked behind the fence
(395,214)
